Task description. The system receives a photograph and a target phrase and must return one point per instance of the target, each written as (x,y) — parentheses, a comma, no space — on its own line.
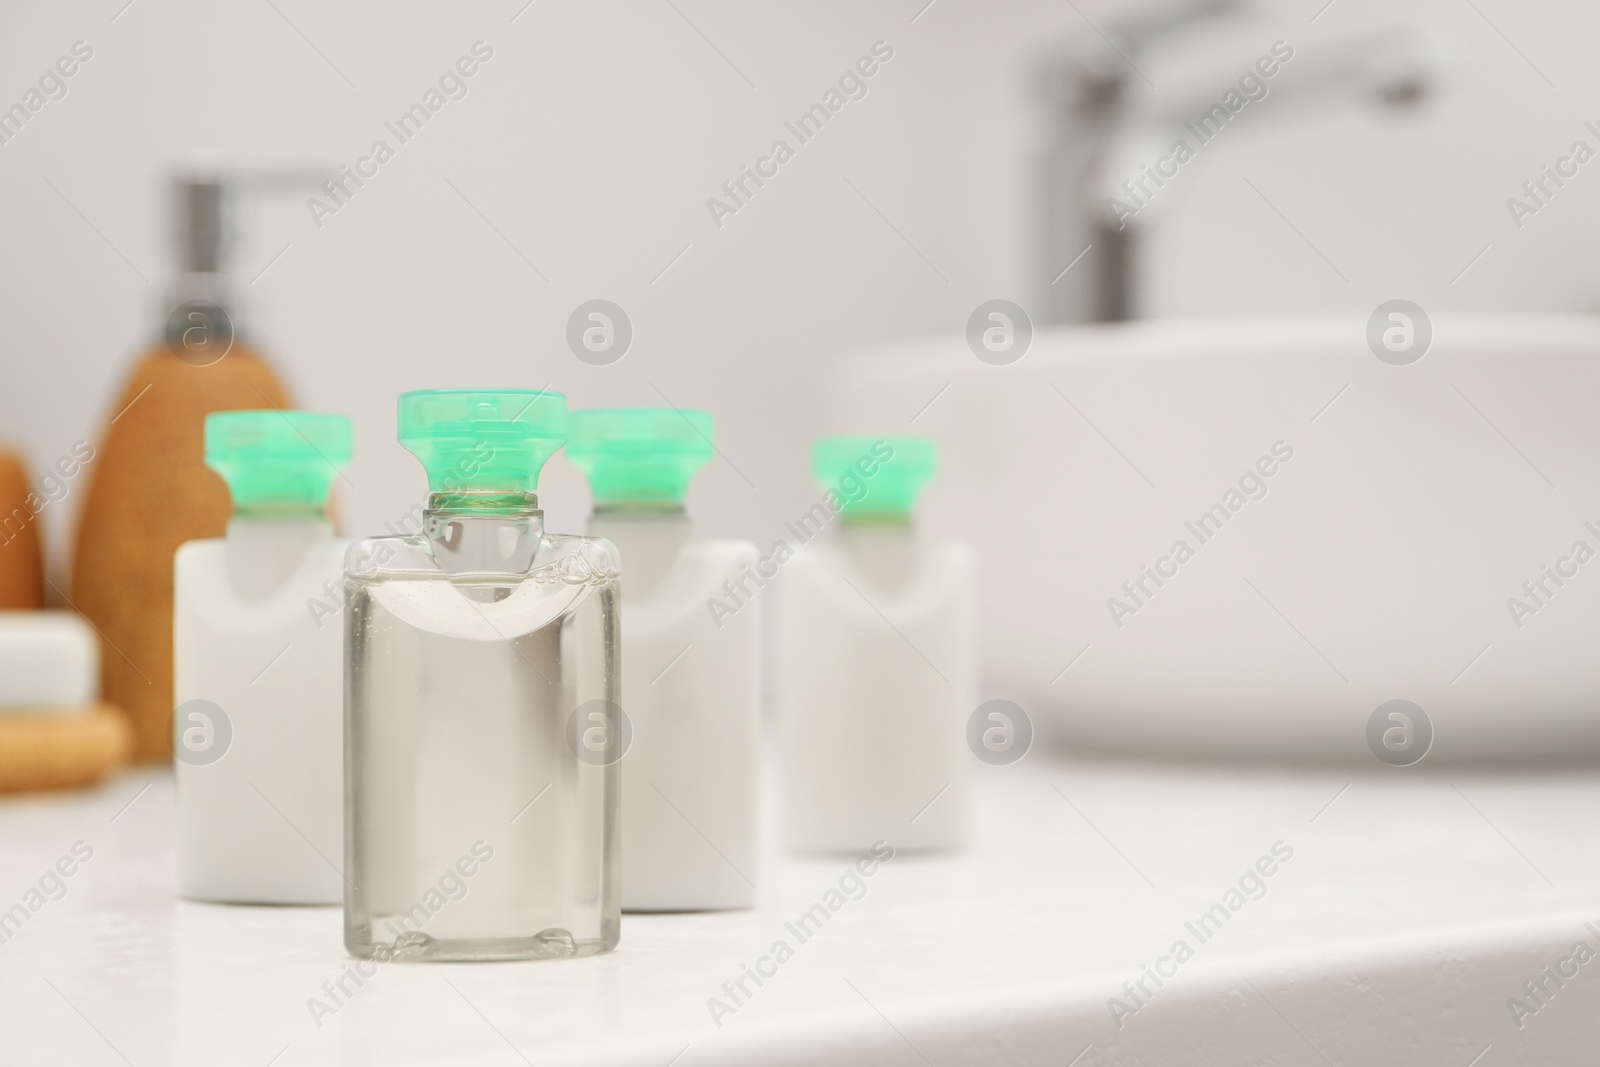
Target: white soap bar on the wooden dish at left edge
(49,661)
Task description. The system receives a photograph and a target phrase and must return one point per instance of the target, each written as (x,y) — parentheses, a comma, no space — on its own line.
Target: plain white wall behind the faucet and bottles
(580,162)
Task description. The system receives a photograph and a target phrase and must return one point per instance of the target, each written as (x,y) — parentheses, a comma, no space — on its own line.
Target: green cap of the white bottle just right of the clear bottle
(641,455)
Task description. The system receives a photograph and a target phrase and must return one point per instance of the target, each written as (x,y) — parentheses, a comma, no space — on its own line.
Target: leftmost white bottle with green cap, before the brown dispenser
(258,669)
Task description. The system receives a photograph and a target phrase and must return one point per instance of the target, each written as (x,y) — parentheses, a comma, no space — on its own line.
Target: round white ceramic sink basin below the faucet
(1406,508)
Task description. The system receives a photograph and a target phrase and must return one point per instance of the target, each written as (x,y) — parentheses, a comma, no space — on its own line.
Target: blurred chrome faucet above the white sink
(1094,103)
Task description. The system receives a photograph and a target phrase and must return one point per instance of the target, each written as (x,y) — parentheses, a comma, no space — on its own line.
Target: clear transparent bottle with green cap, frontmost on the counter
(484,730)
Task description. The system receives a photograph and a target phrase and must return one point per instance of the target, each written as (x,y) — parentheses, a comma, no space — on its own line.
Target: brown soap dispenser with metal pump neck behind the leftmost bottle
(151,490)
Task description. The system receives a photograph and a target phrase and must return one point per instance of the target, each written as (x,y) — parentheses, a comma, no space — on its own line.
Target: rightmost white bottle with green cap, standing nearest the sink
(876,660)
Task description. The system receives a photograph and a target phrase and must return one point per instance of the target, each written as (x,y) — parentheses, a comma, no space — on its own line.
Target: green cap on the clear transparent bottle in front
(482,439)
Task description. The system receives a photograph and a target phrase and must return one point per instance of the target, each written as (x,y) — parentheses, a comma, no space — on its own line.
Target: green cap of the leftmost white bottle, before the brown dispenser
(278,462)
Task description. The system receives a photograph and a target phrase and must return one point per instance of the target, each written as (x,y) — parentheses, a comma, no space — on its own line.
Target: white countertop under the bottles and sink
(1415,905)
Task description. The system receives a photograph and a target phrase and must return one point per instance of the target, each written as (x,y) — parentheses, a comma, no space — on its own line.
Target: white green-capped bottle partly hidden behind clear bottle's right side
(692,674)
